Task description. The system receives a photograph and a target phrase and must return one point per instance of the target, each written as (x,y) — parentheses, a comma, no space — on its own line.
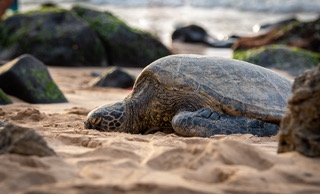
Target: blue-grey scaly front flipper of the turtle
(206,123)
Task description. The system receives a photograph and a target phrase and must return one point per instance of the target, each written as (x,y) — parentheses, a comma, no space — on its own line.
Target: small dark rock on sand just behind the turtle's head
(114,77)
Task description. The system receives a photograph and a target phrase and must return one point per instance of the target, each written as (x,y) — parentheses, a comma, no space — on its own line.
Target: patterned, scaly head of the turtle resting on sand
(107,118)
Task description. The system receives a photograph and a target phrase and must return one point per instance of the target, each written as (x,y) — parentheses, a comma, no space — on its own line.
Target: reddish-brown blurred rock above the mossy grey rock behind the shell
(304,35)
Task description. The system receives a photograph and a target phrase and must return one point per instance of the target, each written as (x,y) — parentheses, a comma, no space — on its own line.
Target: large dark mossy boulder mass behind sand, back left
(77,37)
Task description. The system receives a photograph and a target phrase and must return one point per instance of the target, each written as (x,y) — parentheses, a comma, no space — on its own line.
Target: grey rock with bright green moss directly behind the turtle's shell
(290,59)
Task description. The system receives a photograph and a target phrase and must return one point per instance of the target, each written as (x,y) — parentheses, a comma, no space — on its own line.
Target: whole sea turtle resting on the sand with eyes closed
(198,96)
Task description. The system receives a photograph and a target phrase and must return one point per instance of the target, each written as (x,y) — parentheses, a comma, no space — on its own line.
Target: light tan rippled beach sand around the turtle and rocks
(89,161)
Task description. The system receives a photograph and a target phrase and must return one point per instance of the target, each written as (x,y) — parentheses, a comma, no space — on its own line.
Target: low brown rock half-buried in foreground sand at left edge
(24,141)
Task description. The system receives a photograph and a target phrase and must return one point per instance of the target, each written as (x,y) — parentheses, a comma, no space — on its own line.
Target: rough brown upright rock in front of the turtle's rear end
(300,127)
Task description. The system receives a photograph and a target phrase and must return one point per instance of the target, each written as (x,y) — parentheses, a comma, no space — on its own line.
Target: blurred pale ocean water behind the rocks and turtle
(221,18)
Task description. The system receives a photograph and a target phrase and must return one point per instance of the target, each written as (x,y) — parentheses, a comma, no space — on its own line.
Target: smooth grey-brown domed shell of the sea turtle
(238,87)
